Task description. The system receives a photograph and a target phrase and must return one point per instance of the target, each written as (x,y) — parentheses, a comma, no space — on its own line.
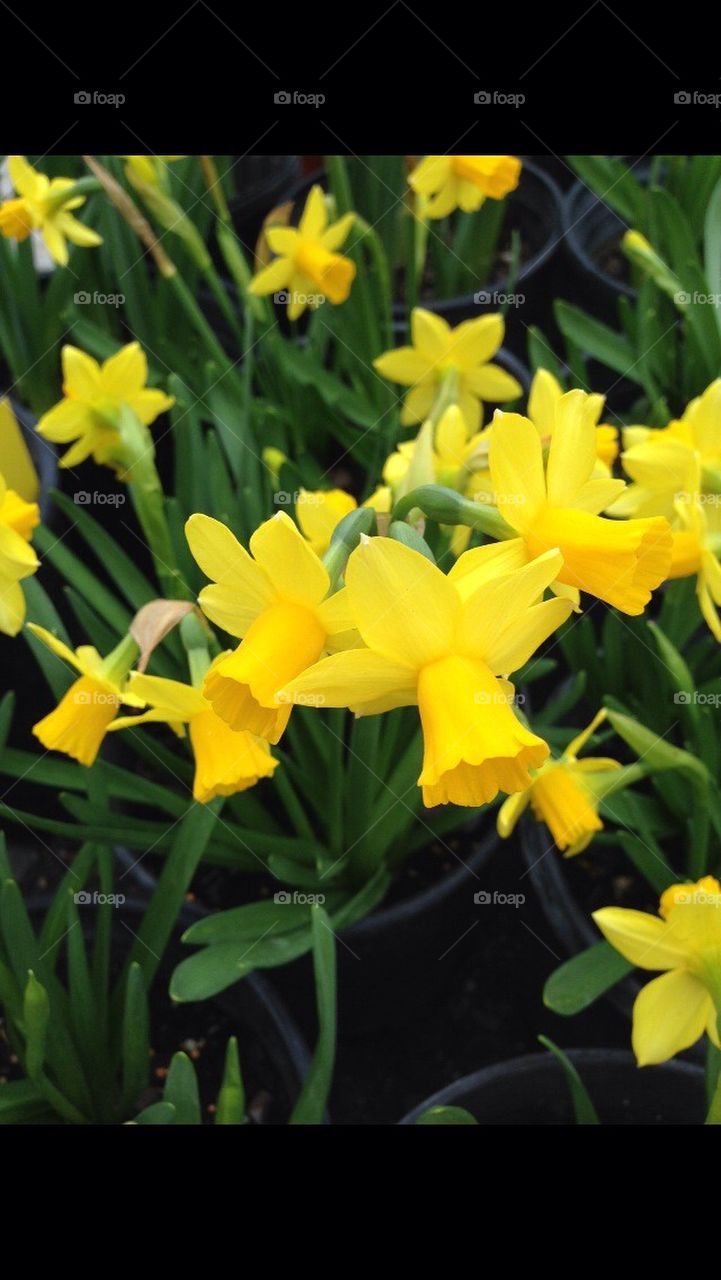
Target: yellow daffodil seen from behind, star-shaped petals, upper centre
(458,359)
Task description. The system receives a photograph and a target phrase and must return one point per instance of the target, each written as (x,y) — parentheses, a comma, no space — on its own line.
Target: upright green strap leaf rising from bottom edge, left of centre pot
(311,1108)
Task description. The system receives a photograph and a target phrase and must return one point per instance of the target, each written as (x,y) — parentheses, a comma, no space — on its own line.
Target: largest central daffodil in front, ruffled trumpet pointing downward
(444,643)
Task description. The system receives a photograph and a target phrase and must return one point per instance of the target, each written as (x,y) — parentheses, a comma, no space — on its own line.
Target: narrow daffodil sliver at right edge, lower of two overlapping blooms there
(697,548)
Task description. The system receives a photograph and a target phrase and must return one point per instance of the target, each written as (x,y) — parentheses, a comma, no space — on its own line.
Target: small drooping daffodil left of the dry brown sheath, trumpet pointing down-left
(84,715)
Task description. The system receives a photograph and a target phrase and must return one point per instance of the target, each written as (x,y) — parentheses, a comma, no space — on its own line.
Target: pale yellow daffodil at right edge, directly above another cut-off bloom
(661,461)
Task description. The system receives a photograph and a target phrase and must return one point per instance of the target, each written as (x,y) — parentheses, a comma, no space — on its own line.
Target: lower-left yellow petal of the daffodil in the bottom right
(670,1014)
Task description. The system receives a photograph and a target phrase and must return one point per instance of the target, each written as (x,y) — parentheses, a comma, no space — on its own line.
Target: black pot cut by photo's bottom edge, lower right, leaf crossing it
(532,1091)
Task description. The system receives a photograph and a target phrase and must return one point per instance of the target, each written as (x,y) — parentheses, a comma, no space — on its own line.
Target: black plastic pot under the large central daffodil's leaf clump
(401,959)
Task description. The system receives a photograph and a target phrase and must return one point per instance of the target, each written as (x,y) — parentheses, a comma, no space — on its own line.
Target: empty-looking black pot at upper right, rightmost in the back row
(590,228)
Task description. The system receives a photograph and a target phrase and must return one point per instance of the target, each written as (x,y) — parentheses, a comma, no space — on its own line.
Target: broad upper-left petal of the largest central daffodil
(404,606)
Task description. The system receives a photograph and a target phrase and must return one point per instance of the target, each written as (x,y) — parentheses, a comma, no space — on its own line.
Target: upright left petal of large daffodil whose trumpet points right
(517,470)
